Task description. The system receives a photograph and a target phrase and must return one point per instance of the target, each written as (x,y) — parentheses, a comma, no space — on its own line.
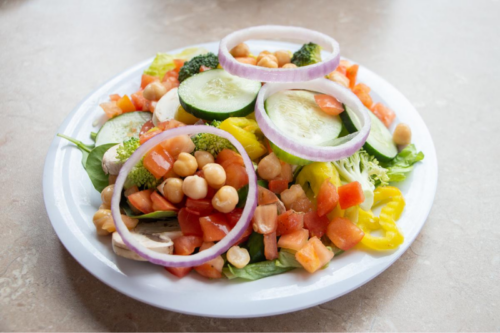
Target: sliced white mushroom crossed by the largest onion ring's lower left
(156,236)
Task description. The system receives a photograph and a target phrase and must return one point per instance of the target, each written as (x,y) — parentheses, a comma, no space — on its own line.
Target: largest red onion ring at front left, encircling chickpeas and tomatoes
(220,247)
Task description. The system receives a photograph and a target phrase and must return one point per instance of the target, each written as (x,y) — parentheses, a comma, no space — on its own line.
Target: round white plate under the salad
(71,202)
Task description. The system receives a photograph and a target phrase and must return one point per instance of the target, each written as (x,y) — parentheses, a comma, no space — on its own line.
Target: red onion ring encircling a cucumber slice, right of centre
(308,152)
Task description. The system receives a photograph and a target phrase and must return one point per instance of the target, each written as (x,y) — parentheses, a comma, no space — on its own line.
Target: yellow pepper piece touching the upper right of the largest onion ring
(245,131)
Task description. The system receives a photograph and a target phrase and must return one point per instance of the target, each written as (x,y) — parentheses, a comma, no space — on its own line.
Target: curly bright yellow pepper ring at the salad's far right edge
(394,205)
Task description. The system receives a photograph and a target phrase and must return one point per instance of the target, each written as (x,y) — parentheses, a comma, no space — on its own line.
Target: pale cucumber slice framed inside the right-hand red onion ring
(297,115)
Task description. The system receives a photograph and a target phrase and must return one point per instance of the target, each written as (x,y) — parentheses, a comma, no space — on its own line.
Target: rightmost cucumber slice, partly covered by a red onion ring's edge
(379,142)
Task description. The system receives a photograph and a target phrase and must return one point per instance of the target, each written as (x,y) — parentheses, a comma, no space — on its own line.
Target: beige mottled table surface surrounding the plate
(443,55)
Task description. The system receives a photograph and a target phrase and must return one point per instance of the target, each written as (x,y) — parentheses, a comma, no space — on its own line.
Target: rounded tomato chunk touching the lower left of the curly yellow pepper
(343,233)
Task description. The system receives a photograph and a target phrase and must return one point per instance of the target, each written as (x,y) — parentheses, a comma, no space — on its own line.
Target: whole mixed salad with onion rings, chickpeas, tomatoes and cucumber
(249,163)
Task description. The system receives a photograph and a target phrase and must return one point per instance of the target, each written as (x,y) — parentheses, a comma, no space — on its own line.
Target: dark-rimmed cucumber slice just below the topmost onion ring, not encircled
(216,94)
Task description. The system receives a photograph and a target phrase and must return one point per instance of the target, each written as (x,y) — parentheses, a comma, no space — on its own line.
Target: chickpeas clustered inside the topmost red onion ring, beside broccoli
(278,59)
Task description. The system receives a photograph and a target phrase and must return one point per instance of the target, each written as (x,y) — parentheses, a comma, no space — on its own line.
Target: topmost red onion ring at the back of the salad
(263,74)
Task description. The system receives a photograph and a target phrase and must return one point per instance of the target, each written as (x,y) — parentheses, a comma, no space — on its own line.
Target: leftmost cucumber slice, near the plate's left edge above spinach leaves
(122,128)
